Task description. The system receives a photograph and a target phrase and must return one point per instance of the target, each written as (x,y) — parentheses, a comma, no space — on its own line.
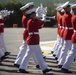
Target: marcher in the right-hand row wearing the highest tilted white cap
(66,20)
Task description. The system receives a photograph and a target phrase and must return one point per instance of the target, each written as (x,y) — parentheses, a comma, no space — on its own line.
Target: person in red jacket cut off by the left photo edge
(4,52)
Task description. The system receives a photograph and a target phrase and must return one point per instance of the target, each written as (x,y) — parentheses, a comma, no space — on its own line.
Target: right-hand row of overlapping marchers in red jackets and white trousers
(64,49)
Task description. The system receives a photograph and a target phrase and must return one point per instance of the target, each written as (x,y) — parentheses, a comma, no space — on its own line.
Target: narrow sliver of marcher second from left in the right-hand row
(60,29)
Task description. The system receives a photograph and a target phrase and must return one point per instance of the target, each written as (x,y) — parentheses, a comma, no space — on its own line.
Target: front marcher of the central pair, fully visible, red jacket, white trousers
(33,39)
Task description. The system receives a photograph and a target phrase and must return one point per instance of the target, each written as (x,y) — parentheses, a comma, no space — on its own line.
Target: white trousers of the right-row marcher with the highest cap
(64,51)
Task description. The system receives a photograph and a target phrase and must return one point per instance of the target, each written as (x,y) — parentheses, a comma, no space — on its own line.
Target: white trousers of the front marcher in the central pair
(33,49)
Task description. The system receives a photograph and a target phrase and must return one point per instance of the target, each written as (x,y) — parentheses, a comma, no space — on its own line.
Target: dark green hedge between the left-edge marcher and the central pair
(13,18)
